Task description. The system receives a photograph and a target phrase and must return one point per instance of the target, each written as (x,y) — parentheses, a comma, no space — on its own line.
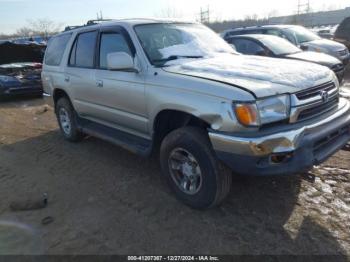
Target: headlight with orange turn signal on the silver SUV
(264,111)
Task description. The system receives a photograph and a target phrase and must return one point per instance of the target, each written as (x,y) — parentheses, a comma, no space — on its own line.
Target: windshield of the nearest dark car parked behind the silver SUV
(279,46)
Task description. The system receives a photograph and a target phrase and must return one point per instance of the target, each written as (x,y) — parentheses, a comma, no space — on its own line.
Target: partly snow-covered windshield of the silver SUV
(165,42)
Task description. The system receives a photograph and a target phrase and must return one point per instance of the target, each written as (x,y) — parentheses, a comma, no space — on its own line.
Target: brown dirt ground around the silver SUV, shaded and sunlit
(105,200)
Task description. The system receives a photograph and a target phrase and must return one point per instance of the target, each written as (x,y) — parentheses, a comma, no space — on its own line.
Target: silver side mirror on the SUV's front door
(120,61)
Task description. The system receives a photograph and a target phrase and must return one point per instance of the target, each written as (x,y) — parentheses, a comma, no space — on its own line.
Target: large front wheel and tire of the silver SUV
(203,191)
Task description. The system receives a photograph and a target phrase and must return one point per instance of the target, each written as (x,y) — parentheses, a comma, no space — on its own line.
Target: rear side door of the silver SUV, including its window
(80,74)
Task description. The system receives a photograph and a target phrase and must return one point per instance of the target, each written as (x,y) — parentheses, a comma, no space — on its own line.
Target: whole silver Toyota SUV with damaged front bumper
(179,90)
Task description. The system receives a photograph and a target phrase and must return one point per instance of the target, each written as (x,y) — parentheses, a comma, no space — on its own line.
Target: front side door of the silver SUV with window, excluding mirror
(121,94)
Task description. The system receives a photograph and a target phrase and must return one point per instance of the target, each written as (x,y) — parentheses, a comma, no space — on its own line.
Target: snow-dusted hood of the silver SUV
(259,75)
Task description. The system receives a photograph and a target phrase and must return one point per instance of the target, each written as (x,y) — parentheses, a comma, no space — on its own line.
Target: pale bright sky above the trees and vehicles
(16,13)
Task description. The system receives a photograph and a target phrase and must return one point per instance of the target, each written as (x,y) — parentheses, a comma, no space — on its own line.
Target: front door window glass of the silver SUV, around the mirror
(110,43)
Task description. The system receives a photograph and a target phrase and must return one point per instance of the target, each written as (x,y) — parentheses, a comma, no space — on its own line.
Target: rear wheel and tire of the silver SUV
(69,127)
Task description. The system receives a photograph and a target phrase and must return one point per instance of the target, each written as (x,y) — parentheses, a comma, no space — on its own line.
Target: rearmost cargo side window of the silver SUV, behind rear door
(55,49)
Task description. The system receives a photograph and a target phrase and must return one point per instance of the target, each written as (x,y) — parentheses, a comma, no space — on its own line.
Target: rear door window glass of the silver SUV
(83,50)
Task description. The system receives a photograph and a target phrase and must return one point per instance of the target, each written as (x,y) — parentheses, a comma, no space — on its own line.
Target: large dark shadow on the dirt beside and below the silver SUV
(105,200)
